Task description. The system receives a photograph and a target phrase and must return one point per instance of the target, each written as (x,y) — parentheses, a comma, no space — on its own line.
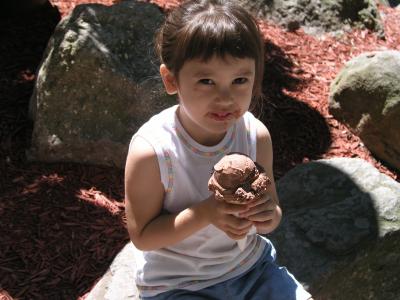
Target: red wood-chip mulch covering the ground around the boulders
(62,224)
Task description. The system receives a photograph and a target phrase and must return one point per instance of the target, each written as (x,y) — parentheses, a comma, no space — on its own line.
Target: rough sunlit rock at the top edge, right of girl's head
(318,16)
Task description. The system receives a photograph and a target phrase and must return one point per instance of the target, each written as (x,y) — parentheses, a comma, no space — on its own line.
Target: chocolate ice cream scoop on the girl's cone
(238,179)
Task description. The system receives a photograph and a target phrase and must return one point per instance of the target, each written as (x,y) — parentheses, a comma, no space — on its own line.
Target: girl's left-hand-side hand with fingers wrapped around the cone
(221,215)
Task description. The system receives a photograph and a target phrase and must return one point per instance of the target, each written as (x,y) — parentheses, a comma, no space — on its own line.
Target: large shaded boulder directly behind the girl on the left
(97,83)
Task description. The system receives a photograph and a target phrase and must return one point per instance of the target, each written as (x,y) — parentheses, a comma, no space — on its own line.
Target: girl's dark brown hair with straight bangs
(201,29)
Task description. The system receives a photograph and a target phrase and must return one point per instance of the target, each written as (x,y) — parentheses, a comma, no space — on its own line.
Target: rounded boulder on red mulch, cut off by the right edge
(365,95)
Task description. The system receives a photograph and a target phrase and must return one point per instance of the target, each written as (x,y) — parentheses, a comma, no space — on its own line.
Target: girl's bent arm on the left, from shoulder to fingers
(148,228)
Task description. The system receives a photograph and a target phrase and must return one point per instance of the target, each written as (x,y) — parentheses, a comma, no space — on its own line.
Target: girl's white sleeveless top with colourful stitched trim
(209,256)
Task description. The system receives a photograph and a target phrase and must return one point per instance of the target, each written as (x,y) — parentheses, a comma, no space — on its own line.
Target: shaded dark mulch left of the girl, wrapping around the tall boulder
(61,224)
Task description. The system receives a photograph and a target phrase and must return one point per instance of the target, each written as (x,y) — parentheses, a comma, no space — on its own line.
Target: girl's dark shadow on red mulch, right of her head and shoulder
(299,132)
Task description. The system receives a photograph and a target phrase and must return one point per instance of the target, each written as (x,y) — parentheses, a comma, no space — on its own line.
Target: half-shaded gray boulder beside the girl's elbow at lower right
(333,209)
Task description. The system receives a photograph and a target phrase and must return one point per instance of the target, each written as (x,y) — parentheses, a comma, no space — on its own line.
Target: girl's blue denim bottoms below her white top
(265,280)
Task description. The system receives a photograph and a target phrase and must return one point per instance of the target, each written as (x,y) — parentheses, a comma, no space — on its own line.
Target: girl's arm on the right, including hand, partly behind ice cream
(265,213)
